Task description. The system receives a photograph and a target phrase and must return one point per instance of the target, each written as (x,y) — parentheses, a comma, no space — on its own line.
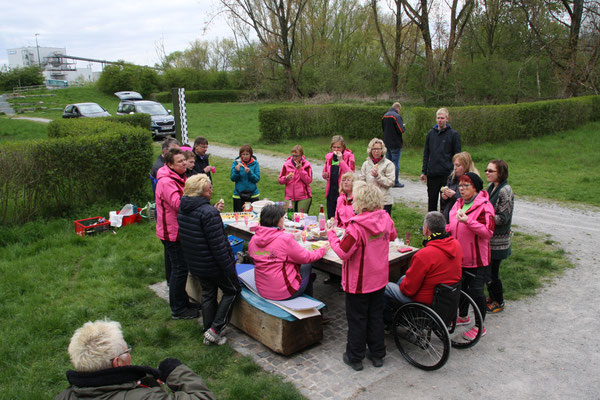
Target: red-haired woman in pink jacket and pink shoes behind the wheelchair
(472,224)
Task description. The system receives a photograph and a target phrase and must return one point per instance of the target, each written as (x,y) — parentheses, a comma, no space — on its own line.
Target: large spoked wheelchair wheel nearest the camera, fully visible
(421,336)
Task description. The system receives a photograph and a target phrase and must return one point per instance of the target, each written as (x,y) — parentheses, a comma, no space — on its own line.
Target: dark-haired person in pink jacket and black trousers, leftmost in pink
(169,189)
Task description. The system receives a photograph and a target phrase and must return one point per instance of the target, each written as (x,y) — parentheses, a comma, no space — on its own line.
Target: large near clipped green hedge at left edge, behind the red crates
(49,178)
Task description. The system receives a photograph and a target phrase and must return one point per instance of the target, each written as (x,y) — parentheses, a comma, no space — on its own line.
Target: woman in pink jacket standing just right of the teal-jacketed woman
(296,175)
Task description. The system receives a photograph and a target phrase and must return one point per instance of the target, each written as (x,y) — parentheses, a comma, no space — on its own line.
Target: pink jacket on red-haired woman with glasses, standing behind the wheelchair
(474,235)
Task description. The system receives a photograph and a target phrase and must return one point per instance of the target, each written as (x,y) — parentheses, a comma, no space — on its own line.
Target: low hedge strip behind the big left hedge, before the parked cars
(86,126)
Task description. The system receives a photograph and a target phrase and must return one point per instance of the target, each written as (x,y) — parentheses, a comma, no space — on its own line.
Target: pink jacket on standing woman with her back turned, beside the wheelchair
(364,250)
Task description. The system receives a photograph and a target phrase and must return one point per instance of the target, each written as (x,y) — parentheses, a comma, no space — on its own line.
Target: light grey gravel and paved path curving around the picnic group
(542,347)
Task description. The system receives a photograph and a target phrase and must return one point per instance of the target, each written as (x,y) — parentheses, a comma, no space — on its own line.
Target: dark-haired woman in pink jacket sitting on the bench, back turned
(281,266)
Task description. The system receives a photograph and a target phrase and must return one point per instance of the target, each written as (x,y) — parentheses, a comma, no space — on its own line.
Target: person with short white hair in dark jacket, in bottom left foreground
(103,369)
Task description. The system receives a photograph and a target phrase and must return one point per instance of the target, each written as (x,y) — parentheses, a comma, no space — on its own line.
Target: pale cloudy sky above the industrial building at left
(110,30)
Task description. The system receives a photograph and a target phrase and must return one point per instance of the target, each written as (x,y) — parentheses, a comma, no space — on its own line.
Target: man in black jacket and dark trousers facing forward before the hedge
(441,144)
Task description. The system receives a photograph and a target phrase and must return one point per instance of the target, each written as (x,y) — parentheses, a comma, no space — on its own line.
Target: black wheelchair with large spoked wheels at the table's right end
(424,334)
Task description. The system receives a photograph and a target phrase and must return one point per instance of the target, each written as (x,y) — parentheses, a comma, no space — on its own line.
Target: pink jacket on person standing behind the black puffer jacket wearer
(169,190)
